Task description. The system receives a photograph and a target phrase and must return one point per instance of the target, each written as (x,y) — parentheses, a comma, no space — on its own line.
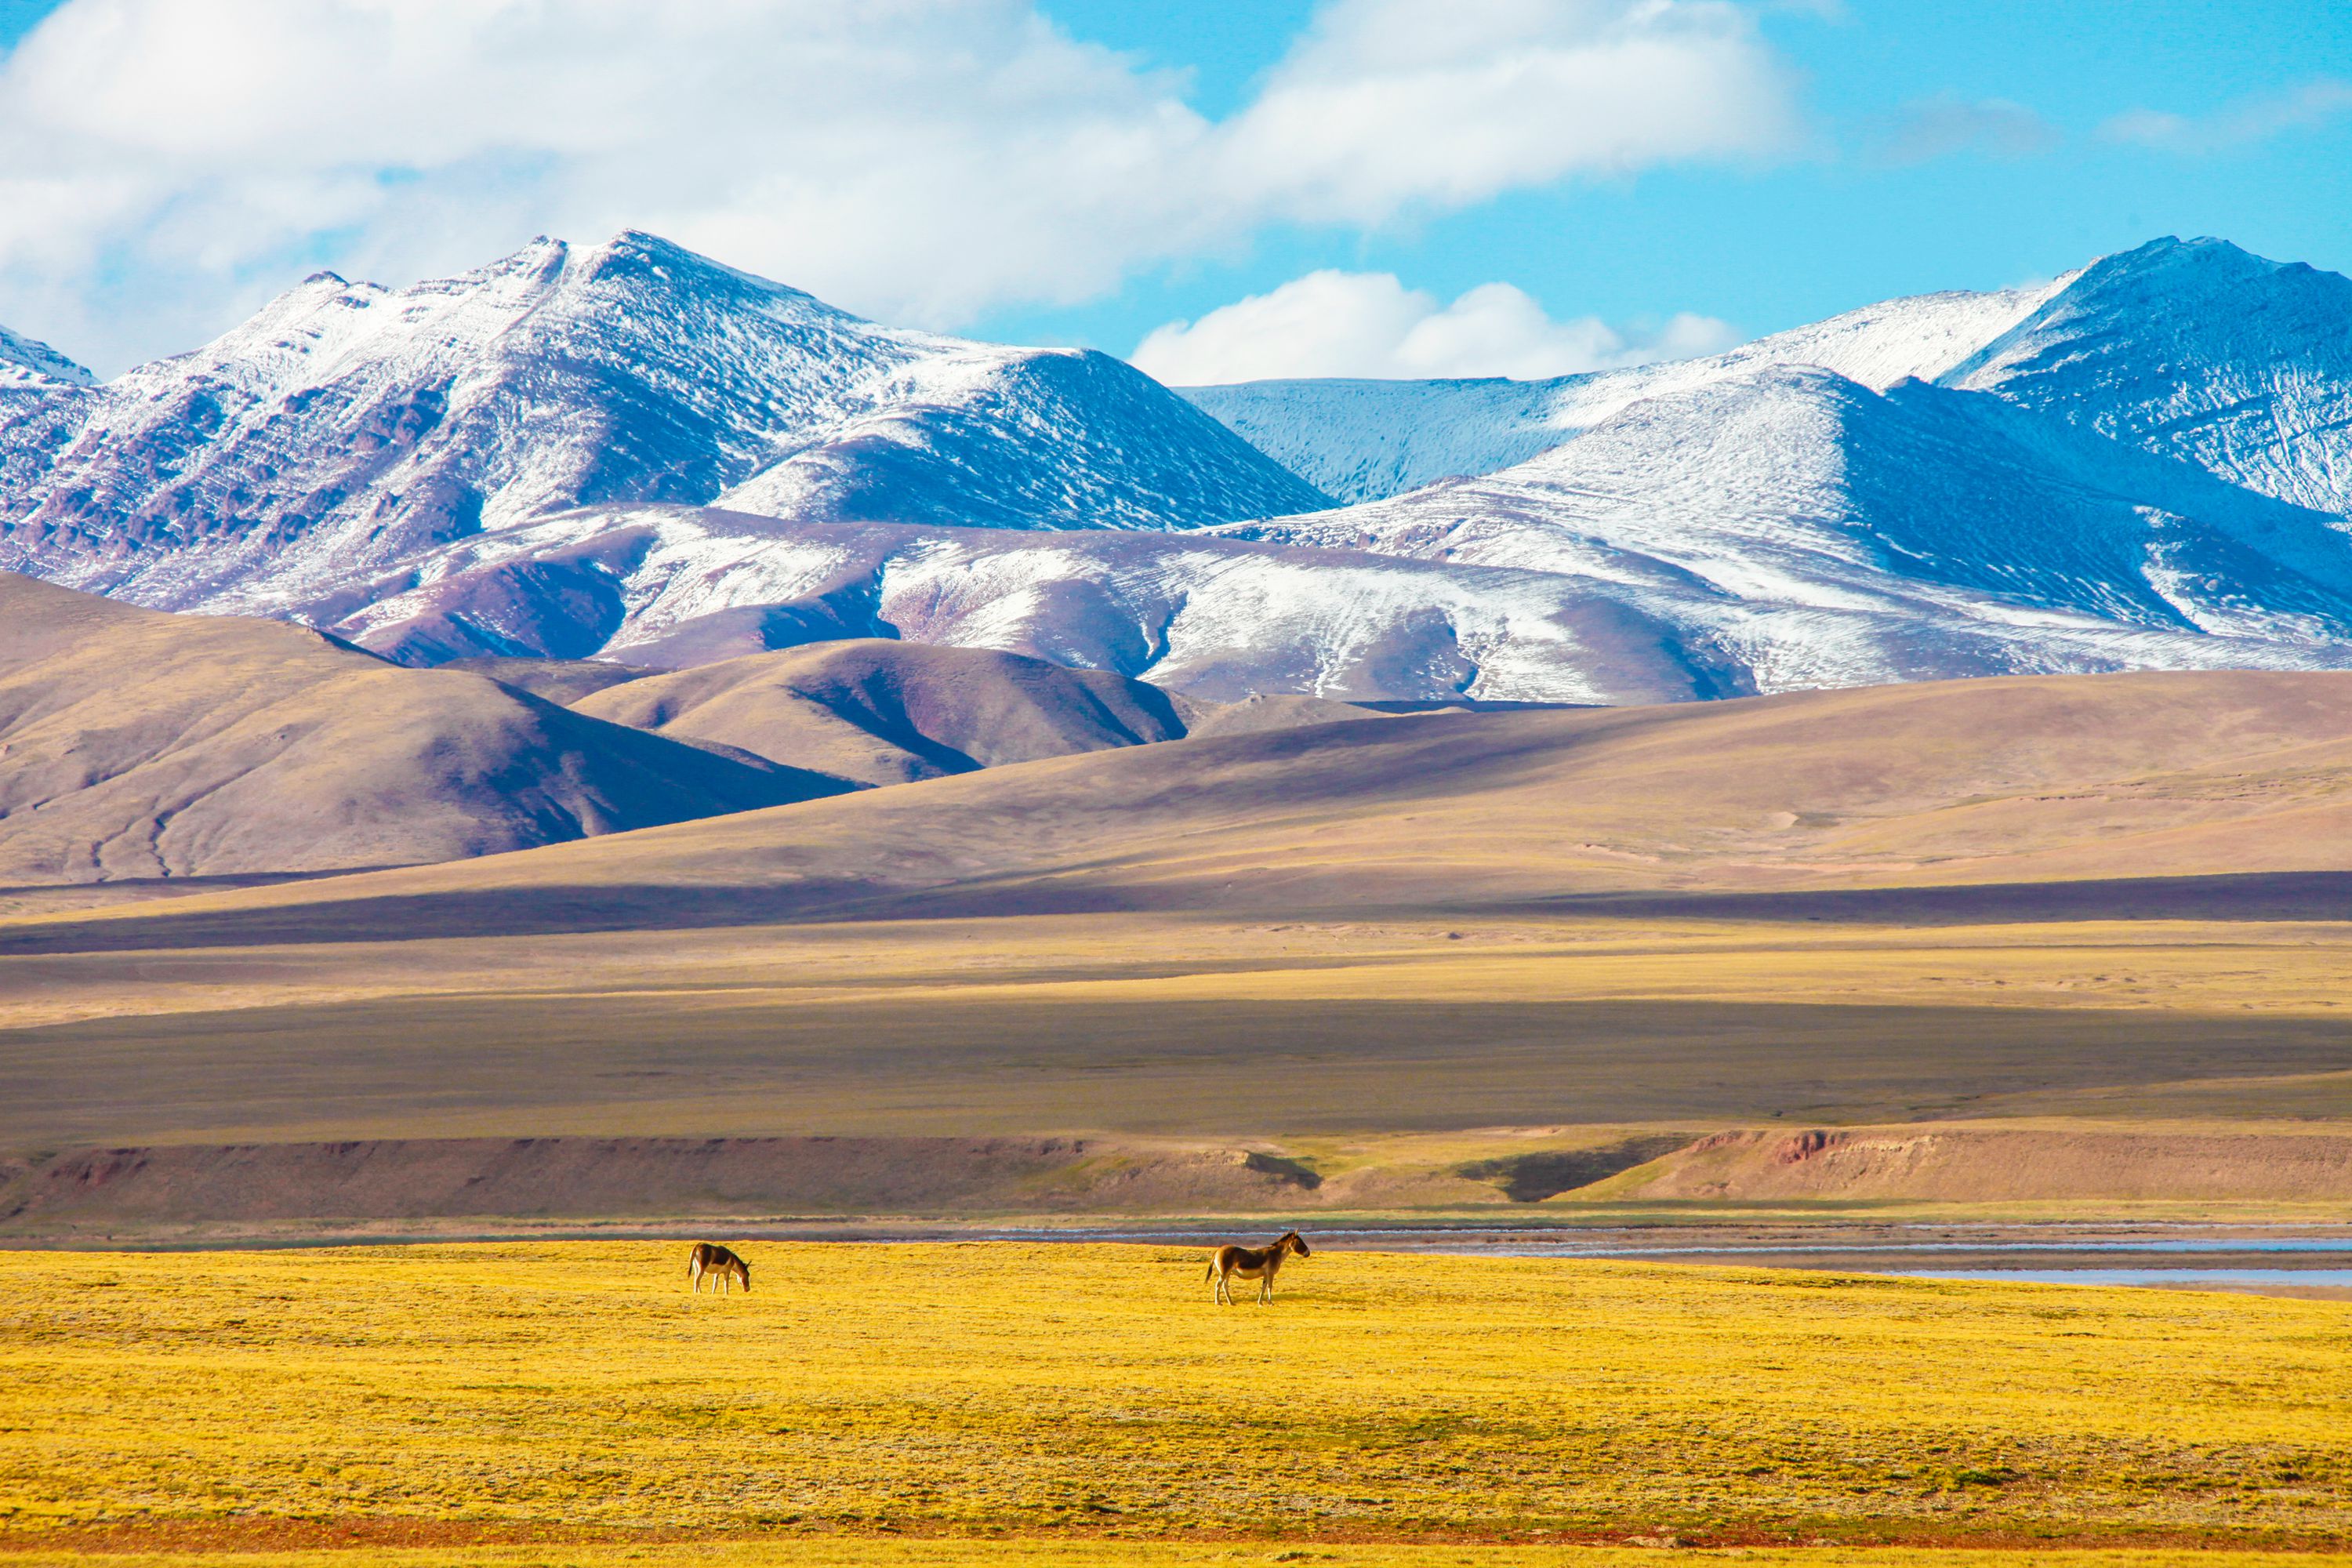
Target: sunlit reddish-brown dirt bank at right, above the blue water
(1989,1165)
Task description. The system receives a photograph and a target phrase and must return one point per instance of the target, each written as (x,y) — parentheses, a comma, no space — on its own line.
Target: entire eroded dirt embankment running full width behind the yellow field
(686,1179)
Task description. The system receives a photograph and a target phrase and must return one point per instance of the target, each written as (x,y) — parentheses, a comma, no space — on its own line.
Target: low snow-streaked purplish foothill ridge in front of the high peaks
(1212,617)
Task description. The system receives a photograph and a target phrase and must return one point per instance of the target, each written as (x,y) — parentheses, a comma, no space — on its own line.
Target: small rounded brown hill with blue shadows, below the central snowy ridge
(893,711)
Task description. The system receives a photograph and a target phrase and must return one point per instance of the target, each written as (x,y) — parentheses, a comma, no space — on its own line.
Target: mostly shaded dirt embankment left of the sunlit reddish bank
(439,1179)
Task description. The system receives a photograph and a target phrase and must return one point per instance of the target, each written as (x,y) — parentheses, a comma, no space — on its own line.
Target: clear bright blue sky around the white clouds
(1852,220)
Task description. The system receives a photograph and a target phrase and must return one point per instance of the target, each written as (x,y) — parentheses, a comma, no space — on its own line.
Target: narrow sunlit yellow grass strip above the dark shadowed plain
(2177,965)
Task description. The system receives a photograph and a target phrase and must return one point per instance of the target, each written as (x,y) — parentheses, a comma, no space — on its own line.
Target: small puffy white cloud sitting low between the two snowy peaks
(1372,326)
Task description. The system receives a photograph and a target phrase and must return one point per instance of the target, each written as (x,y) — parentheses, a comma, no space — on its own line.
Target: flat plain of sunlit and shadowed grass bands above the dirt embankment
(1175,1024)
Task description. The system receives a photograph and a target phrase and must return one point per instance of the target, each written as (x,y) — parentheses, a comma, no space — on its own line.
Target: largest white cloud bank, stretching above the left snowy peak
(168,163)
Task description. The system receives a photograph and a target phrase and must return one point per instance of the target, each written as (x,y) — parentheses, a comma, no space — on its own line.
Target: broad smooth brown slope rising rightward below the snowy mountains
(2033,779)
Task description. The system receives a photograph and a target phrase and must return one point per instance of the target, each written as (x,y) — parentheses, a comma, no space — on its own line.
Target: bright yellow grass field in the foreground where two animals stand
(1060,1393)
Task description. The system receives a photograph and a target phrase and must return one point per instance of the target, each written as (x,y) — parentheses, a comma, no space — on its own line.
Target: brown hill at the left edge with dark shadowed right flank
(138,744)
